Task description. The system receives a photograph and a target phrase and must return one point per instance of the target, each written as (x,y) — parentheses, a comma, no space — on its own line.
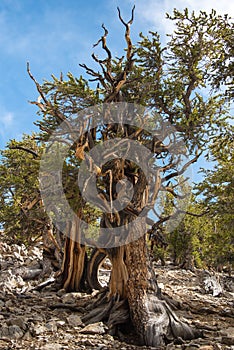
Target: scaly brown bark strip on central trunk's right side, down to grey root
(152,316)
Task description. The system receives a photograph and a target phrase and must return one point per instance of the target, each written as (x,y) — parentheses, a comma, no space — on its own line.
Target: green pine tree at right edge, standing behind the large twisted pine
(218,200)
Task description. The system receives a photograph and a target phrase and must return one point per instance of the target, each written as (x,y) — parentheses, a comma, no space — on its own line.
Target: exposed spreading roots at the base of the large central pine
(160,325)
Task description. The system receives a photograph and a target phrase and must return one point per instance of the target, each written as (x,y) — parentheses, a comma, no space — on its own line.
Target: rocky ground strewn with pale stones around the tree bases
(51,320)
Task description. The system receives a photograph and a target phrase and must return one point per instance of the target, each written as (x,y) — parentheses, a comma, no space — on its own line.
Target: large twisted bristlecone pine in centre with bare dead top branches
(169,81)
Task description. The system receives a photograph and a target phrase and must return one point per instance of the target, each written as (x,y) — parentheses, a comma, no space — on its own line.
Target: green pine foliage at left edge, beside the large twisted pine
(21,213)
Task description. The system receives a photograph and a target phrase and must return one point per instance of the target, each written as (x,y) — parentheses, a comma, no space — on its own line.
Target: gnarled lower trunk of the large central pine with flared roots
(133,290)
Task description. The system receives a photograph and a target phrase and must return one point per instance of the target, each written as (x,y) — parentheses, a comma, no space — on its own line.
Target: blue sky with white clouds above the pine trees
(57,35)
